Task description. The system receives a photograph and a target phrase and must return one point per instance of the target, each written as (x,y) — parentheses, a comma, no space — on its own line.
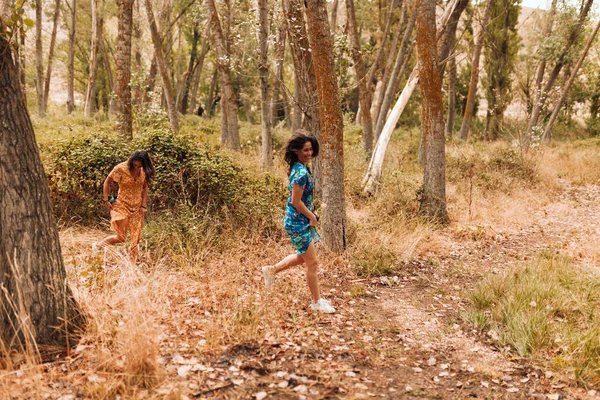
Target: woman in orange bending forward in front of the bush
(127,212)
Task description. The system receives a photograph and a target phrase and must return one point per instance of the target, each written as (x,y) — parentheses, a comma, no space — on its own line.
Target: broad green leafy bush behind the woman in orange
(188,177)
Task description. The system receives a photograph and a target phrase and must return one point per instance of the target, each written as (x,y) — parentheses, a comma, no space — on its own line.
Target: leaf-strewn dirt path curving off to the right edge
(402,336)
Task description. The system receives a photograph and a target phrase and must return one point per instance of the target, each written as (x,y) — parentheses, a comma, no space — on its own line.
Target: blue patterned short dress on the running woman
(295,223)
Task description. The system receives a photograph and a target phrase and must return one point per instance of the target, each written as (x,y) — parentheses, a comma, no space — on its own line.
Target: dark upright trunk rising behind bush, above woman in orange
(123,69)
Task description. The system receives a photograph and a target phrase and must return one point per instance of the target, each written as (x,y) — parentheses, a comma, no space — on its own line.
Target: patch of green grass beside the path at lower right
(546,310)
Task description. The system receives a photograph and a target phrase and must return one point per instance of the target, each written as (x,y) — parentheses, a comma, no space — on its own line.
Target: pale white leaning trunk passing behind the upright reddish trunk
(371,179)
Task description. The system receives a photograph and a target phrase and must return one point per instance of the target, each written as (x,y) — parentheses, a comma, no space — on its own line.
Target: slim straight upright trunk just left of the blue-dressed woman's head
(263,71)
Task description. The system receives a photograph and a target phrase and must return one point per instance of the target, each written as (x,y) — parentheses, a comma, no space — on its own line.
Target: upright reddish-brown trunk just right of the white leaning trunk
(433,202)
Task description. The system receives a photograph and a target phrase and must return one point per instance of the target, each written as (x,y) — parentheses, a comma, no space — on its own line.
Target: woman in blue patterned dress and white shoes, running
(300,220)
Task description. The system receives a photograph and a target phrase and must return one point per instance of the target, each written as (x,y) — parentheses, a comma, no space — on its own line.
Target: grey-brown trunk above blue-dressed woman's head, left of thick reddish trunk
(306,101)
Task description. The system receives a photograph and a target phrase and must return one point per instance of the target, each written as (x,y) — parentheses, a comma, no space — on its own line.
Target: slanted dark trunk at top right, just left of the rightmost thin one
(562,60)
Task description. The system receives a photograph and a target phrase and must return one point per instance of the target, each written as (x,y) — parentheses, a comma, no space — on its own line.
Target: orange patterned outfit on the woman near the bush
(127,206)
